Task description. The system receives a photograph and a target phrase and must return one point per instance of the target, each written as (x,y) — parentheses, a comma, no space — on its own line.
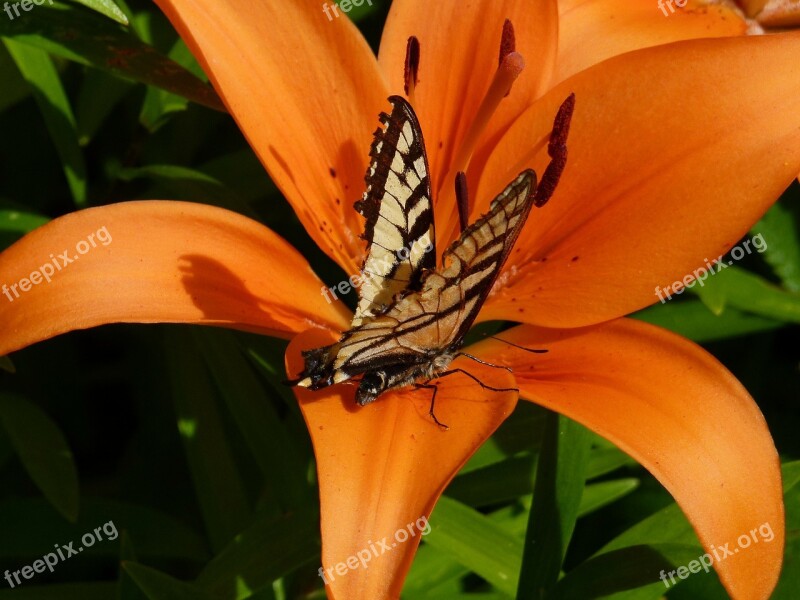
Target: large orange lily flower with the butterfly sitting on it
(676,149)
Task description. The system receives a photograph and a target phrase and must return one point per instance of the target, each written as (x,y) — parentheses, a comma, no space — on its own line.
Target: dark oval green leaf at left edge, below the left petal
(43,451)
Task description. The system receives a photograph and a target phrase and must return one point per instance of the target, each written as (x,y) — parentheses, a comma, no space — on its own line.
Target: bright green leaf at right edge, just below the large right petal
(743,290)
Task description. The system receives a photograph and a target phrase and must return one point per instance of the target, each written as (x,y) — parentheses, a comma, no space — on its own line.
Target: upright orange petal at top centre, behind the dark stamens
(450,91)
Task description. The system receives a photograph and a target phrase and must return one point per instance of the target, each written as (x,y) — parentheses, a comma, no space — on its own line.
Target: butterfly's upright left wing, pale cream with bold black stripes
(397,206)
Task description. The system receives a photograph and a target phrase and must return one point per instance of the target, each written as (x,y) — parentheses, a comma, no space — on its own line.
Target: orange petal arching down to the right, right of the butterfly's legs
(681,414)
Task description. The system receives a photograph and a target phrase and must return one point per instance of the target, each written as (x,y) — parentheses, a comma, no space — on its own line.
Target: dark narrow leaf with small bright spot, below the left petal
(218,484)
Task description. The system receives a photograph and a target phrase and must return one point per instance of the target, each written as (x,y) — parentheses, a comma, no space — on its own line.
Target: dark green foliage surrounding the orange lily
(186,439)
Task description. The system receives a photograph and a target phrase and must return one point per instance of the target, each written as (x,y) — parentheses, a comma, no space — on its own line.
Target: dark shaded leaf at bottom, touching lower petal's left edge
(268,549)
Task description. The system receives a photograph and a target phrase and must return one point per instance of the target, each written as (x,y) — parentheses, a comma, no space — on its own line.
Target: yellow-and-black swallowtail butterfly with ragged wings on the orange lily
(412,316)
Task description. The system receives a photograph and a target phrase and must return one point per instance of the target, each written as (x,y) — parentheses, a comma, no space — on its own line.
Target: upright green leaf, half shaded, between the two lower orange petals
(560,479)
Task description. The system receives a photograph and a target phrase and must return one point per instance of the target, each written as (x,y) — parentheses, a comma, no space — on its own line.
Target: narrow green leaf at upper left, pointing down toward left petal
(38,70)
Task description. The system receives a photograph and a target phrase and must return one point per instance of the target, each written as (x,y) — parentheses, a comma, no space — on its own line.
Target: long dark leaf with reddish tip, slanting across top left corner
(90,39)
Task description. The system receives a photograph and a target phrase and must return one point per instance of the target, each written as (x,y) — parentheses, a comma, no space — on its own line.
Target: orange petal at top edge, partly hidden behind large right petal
(590,32)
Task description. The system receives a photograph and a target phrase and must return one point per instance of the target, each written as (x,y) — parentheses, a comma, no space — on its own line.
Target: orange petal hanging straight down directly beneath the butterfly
(382,467)
